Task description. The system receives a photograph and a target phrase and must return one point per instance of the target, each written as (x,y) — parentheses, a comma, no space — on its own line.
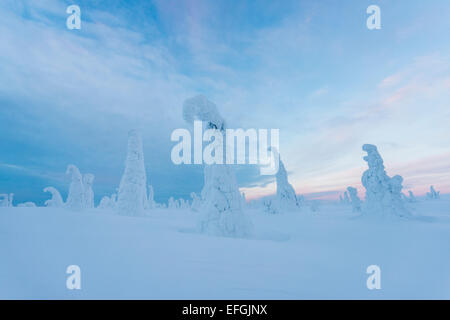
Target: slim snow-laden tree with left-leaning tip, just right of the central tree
(286,199)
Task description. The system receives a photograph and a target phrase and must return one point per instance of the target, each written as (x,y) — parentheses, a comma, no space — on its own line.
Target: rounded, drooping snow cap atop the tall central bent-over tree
(200,108)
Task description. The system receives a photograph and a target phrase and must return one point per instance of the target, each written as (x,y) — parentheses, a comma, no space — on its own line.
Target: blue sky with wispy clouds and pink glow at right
(311,69)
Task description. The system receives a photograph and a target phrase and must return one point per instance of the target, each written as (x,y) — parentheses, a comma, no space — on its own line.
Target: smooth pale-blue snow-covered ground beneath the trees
(302,255)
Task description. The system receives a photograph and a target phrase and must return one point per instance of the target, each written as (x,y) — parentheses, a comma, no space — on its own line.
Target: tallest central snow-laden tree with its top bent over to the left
(221,210)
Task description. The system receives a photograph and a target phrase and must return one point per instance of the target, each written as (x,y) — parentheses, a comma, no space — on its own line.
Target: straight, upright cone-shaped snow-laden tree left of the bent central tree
(132,196)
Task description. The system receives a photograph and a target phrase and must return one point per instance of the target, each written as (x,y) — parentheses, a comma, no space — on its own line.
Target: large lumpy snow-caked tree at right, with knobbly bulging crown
(383,194)
